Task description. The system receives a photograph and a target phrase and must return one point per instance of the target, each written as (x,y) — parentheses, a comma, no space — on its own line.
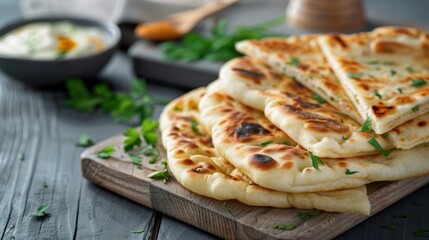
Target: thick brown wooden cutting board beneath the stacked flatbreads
(237,220)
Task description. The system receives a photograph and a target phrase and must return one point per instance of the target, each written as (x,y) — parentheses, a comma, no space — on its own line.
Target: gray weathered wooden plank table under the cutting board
(34,122)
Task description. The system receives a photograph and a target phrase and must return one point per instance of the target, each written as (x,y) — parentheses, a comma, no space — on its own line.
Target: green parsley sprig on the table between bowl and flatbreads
(120,105)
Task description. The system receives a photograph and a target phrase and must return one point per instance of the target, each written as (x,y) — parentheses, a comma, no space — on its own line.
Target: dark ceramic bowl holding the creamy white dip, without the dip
(42,73)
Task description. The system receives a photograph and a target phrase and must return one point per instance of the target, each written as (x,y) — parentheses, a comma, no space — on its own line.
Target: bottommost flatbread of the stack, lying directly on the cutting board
(195,164)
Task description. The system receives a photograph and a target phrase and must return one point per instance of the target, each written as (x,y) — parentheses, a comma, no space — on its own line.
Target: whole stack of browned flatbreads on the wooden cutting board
(306,121)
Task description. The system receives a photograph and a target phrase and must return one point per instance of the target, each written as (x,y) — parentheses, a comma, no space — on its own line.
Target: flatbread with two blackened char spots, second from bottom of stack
(240,135)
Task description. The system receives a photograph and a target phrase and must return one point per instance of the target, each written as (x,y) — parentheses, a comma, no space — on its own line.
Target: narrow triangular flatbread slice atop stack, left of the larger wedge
(301,58)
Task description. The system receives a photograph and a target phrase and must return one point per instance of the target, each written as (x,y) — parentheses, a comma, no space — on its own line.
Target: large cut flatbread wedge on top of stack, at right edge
(385,72)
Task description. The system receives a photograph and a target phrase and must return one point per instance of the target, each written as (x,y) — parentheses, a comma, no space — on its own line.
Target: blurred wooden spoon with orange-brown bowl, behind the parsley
(176,25)
